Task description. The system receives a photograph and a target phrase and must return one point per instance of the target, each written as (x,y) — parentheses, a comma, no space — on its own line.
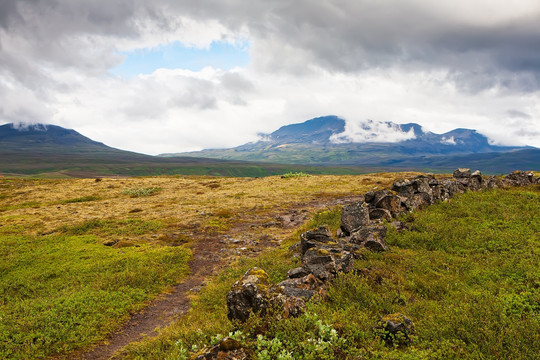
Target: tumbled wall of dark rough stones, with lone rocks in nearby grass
(324,256)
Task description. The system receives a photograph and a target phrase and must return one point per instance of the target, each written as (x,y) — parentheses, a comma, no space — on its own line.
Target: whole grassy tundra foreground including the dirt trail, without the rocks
(81,257)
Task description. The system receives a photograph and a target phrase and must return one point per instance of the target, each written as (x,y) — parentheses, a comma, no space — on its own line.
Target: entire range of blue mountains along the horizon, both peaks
(322,145)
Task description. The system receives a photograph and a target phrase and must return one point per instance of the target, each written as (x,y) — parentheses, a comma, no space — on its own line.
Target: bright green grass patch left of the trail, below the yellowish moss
(59,293)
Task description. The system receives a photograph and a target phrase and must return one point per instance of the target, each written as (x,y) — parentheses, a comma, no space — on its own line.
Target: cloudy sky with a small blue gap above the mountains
(167,76)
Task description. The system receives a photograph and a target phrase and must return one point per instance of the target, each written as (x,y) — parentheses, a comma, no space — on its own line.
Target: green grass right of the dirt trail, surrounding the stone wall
(466,274)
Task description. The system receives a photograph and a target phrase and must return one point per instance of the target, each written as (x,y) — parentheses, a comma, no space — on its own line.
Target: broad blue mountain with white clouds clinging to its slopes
(329,141)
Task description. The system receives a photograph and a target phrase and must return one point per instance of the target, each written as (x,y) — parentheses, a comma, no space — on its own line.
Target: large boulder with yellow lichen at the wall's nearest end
(249,295)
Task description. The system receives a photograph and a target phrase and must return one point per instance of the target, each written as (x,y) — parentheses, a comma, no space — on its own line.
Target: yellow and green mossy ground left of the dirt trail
(62,289)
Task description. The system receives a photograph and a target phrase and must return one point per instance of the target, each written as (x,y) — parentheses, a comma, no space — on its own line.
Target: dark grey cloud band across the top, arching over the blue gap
(292,36)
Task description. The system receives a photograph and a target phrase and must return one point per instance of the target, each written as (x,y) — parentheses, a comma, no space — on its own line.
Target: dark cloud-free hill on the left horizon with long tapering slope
(53,151)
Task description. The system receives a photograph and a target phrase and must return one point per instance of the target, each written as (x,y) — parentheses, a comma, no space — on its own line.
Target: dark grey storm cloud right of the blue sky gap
(351,36)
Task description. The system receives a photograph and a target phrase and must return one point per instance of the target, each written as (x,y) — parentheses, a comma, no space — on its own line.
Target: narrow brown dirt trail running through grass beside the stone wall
(211,252)
